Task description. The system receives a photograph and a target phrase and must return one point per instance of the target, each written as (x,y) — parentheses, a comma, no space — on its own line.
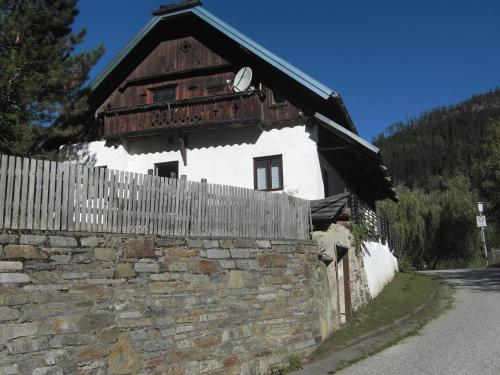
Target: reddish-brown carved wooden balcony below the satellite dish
(182,114)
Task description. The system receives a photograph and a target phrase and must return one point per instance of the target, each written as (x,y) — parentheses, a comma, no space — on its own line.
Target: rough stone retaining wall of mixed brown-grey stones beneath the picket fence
(115,304)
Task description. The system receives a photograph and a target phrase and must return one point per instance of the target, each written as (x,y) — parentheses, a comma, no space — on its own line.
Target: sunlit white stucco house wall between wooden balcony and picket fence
(226,156)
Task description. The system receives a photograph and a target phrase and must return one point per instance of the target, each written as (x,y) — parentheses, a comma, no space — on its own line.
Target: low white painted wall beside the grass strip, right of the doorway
(380,266)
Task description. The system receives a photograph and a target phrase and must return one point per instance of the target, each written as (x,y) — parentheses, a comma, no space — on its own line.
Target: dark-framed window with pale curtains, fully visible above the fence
(268,173)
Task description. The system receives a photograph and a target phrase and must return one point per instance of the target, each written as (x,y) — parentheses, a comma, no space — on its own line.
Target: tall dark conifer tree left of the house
(41,76)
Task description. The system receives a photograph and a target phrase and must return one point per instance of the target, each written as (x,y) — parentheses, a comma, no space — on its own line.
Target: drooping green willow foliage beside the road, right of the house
(435,226)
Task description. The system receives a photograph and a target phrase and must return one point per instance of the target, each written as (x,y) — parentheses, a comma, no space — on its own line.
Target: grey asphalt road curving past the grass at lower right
(464,340)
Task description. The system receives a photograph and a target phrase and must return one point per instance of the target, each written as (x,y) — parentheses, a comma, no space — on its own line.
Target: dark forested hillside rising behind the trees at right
(444,141)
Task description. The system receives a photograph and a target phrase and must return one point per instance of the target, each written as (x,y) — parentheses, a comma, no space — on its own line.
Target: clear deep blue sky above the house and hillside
(390,60)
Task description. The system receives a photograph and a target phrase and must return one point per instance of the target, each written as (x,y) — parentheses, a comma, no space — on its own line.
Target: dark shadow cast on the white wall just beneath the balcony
(201,140)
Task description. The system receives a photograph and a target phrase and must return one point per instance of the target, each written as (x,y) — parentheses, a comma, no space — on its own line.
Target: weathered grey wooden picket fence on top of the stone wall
(46,195)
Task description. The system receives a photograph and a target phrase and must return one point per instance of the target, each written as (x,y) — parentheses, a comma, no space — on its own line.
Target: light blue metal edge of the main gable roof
(160,15)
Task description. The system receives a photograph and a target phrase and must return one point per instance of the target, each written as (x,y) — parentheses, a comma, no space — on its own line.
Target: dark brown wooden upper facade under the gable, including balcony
(203,95)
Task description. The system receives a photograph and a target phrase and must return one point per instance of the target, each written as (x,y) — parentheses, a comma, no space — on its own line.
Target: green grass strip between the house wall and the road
(405,293)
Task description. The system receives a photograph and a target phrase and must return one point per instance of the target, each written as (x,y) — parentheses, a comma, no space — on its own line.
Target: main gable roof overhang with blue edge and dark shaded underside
(305,92)
